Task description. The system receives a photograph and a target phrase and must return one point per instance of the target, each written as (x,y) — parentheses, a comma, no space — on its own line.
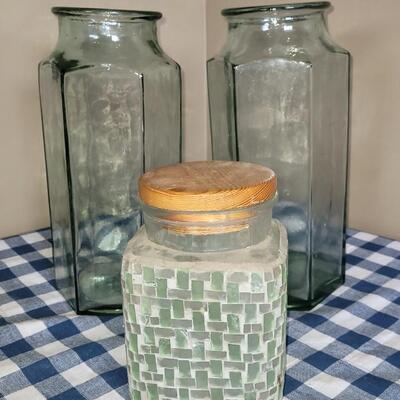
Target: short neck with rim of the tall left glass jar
(105,27)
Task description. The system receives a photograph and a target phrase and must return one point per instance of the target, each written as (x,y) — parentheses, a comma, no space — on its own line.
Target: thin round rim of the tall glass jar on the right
(309,6)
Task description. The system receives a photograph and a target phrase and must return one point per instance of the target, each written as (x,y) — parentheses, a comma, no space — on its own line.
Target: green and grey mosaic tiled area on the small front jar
(205,335)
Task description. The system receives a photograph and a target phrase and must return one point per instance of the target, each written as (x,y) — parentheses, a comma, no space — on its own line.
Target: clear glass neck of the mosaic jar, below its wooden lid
(208,231)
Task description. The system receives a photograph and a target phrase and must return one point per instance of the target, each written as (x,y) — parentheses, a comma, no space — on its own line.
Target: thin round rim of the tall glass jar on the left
(117,14)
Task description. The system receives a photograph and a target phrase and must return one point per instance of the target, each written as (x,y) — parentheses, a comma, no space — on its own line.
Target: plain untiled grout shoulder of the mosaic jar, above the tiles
(266,255)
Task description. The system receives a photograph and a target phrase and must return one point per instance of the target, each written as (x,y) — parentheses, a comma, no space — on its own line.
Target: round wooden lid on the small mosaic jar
(207,186)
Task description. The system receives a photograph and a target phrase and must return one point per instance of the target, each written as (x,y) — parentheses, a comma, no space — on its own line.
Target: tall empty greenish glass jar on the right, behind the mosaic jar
(279,96)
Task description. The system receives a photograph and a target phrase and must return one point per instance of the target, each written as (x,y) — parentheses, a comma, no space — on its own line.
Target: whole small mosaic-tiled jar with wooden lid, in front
(205,285)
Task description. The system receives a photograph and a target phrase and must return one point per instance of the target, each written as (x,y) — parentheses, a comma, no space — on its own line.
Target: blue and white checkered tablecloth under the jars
(347,348)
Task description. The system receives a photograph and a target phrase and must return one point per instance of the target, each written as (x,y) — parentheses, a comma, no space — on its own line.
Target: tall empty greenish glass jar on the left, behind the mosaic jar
(111,109)
